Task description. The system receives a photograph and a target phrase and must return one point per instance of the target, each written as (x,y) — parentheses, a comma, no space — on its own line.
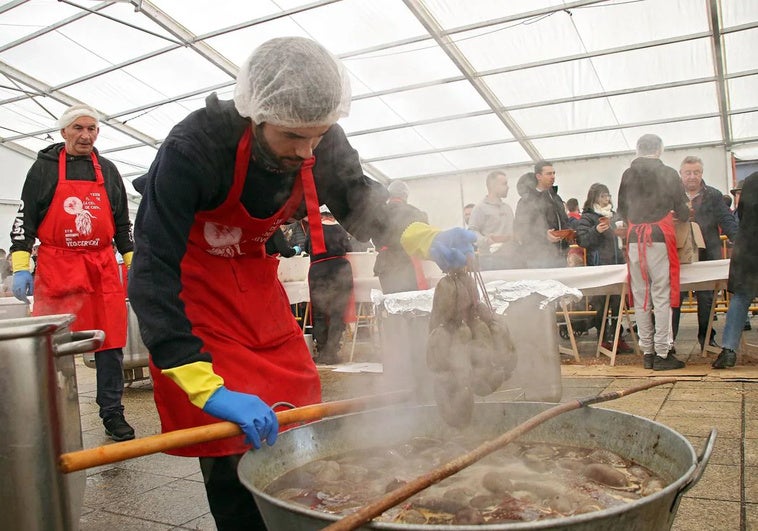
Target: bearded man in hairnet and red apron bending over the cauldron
(216,320)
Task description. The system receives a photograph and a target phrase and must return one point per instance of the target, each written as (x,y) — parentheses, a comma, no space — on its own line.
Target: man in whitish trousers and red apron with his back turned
(651,196)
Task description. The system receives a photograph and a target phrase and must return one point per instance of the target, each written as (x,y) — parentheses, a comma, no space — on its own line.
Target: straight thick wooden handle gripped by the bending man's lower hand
(103,455)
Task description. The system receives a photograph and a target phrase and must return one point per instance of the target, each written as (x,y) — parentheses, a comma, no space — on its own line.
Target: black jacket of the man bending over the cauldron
(193,172)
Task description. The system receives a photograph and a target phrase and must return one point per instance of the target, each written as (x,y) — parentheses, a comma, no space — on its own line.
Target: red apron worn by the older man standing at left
(76,266)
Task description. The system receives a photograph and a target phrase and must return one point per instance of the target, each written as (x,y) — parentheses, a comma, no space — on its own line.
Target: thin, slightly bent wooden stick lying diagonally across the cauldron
(389,500)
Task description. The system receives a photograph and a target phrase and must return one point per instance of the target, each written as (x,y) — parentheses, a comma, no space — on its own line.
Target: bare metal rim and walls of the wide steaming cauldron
(648,443)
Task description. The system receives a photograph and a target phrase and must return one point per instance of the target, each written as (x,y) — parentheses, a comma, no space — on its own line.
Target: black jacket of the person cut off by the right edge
(743,268)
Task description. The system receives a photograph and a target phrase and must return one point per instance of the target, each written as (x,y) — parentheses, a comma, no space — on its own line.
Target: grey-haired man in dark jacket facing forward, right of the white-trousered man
(711,213)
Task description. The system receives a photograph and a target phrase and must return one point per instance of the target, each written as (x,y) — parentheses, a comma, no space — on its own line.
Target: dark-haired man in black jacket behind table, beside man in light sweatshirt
(539,212)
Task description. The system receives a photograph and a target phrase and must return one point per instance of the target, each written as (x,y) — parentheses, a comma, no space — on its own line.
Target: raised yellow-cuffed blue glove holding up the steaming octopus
(448,248)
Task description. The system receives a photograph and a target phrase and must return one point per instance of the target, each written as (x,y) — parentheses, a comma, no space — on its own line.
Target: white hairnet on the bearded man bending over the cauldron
(292,82)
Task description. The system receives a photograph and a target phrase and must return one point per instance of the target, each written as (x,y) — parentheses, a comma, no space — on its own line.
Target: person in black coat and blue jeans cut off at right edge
(743,280)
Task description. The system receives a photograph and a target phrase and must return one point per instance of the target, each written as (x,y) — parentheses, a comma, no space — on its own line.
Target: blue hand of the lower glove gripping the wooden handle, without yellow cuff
(257,420)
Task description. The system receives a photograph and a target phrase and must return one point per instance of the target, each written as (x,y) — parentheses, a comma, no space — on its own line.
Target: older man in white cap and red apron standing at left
(74,202)
